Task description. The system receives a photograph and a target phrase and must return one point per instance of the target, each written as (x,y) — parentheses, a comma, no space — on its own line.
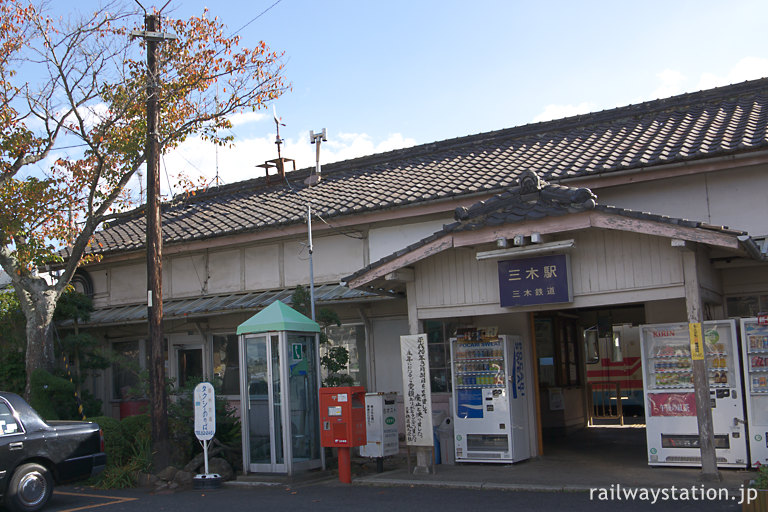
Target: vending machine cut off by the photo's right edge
(754,345)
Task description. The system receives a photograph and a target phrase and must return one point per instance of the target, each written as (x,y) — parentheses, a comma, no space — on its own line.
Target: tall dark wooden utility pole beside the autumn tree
(158,398)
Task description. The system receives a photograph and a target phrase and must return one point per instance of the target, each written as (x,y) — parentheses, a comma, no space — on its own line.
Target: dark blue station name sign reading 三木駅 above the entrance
(533,281)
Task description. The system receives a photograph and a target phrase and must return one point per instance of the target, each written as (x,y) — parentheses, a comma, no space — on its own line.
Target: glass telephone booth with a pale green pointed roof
(280,378)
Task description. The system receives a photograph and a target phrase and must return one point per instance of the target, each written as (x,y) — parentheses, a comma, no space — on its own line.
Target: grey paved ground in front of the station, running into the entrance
(594,469)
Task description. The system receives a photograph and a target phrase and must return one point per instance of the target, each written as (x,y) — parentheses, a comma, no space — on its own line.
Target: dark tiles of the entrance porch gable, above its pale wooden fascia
(518,205)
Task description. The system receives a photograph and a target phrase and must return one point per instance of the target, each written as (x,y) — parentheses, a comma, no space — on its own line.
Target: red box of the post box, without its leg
(342,417)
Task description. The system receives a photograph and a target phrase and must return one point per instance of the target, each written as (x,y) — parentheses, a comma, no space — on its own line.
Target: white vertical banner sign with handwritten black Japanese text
(417,392)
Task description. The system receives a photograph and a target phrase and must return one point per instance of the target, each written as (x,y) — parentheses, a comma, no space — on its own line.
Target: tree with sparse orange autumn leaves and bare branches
(80,81)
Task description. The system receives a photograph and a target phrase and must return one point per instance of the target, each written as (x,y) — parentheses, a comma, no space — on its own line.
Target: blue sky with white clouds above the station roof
(387,75)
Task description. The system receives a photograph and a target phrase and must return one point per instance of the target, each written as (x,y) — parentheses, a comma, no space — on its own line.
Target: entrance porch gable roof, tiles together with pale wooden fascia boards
(536,206)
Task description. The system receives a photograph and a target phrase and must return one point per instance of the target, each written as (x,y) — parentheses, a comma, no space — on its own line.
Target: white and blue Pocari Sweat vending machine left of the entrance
(492,397)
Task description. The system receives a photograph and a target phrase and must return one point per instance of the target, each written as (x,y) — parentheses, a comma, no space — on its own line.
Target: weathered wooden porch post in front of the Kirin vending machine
(700,377)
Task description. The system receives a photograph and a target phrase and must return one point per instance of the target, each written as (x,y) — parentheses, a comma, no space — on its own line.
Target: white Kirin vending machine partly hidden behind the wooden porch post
(670,404)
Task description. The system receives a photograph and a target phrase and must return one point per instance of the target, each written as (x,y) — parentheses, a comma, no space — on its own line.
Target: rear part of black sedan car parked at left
(35,454)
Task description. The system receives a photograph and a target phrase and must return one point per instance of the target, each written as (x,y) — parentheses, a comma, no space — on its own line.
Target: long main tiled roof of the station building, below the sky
(716,122)
